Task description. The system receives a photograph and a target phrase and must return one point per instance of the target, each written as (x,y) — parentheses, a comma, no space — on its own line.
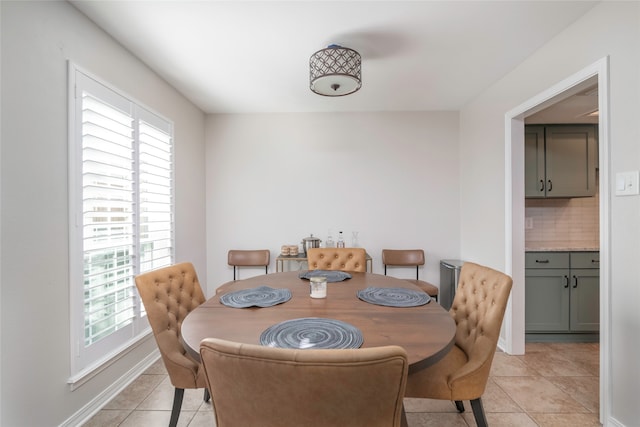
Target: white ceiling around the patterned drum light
(253,56)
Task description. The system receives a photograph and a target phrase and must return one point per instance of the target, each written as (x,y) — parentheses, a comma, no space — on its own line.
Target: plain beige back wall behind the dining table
(273,179)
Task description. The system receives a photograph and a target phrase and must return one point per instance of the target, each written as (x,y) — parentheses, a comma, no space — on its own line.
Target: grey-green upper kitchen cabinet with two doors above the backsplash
(560,161)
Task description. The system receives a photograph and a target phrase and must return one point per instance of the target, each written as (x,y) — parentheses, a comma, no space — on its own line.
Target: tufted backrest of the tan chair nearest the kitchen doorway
(478,309)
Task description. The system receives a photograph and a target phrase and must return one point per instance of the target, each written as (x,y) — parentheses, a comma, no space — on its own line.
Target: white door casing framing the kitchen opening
(514,221)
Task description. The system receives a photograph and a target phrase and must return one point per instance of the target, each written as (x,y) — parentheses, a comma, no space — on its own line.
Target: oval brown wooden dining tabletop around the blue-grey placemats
(426,332)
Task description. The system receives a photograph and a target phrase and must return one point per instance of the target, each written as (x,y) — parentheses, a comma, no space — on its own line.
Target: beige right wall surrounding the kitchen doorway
(611,29)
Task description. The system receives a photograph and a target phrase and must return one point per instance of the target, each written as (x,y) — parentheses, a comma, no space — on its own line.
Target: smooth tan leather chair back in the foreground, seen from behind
(263,386)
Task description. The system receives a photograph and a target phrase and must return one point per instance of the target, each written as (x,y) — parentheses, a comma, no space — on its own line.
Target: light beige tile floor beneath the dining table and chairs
(551,385)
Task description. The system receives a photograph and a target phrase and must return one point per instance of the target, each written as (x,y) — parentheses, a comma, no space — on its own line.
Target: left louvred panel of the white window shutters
(108,216)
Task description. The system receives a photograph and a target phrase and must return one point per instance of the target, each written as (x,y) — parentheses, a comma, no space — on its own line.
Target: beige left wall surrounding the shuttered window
(38,38)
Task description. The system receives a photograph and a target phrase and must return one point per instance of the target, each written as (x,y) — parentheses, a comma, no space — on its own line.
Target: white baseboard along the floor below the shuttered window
(96,404)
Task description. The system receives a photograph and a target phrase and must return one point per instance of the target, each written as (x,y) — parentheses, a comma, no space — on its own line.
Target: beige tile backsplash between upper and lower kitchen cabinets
(558,222)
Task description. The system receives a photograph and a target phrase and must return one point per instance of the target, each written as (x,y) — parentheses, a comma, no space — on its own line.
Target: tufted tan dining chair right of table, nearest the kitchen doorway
(478,309)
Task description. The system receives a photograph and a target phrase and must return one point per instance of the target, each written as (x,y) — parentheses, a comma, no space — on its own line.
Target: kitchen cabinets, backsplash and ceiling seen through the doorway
(562,220)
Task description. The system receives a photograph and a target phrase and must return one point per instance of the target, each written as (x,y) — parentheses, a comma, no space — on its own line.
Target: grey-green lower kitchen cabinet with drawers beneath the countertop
(562,292)
